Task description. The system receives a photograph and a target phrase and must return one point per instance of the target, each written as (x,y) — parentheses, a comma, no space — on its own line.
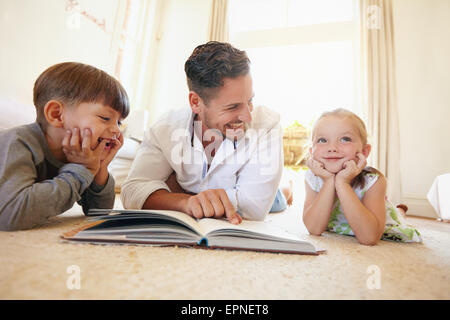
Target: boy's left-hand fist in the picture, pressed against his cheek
(78,150)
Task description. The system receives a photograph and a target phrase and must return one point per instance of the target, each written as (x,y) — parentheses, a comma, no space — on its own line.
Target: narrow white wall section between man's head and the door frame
(184,26)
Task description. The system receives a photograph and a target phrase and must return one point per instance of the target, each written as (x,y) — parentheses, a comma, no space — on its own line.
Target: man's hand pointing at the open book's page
(212,203)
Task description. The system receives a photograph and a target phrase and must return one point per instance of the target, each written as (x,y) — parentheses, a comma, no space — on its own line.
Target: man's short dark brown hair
(210,63)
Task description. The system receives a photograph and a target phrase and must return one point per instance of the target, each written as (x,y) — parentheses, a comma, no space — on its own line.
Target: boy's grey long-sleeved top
(34,185)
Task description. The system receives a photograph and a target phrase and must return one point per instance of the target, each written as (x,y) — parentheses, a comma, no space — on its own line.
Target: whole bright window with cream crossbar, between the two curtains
(302,54)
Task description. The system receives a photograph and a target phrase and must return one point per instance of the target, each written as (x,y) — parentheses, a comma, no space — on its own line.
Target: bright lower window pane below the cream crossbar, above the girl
(301,81)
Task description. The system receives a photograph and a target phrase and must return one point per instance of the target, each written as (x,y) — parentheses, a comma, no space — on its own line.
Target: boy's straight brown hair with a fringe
(72,83)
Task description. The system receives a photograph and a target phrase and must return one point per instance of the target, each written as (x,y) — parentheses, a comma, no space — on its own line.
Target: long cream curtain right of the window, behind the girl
(379,92)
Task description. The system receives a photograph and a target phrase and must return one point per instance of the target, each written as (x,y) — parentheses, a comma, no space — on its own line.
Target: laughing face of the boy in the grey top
(103,121)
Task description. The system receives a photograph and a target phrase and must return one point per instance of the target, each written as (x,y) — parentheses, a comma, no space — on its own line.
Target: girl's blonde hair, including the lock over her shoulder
(342,113)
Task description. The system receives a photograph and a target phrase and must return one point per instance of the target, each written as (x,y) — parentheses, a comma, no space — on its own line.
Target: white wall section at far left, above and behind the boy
(34,36)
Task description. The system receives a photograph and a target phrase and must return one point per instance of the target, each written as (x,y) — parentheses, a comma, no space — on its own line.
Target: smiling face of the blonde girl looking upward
(336,140)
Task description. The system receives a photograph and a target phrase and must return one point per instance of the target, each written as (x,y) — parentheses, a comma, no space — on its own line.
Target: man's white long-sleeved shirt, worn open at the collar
(249,170)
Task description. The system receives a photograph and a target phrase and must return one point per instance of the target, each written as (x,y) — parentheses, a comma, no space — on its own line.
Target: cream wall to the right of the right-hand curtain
(422,45)
